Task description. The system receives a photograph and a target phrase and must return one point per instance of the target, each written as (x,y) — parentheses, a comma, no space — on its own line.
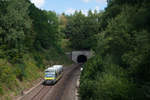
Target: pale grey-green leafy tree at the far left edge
(15,24)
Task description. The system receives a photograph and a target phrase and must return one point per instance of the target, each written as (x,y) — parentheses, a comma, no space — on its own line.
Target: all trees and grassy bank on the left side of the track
(30,39)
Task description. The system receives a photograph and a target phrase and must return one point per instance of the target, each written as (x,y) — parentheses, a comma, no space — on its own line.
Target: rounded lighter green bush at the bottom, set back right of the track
(112,87)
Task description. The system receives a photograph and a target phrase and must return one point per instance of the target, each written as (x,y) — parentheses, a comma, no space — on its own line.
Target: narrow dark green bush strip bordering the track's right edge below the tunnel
(87,85)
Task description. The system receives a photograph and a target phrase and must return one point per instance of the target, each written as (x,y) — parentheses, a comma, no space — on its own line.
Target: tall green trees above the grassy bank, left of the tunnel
(23,28)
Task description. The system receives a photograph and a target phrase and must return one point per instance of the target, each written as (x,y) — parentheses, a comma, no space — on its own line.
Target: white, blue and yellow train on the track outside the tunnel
(53,74)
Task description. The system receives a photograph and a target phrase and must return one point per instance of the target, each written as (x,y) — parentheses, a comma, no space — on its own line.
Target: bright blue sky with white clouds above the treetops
(69,6)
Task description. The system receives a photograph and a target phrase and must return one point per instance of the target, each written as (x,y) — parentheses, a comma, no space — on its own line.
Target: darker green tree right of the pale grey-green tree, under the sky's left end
(45,22)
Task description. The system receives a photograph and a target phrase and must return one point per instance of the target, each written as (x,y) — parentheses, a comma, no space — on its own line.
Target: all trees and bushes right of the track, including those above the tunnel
(120,37)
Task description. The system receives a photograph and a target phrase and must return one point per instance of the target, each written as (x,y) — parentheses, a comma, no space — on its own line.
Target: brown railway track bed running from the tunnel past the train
(64,89)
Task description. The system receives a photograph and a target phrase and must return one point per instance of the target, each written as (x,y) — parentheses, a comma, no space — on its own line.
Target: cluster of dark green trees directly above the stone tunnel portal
(81,30)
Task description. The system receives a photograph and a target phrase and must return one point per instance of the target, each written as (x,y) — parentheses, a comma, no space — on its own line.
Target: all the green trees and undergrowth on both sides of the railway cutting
(31,38)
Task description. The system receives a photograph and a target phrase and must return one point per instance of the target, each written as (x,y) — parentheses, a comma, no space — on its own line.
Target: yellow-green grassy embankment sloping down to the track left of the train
(33,67)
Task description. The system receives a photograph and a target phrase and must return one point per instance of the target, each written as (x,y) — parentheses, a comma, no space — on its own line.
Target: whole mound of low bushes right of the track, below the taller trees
(103,80)
